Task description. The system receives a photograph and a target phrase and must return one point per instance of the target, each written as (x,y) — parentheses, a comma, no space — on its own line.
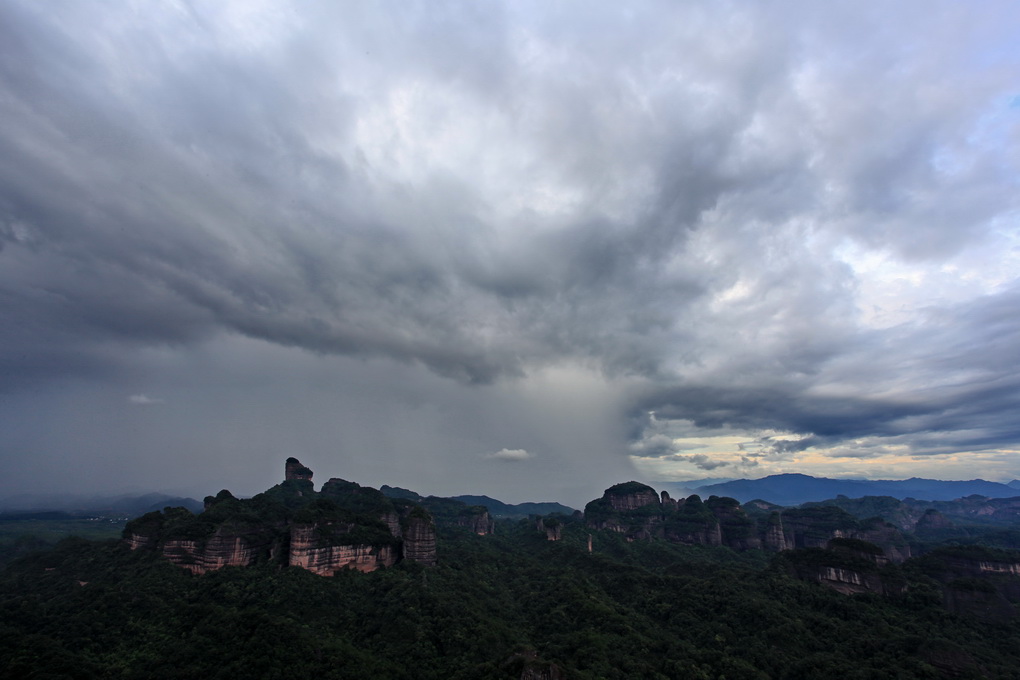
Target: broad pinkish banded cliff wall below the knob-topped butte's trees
(314,548)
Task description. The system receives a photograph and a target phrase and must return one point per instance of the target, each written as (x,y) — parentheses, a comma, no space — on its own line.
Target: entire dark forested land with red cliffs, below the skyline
(351,582)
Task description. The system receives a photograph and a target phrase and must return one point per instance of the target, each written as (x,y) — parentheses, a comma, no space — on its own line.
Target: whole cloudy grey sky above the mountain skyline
(528,250)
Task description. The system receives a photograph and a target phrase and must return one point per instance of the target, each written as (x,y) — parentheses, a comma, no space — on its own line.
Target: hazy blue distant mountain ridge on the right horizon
(793,490)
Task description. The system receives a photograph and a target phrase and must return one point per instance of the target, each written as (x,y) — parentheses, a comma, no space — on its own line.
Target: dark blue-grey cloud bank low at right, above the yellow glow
(957,391)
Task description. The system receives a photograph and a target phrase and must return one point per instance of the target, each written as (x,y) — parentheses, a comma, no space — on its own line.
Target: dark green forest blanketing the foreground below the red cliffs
(495,606)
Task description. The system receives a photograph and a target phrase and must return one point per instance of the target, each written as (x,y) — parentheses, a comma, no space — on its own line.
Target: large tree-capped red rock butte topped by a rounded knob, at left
(345,527)
